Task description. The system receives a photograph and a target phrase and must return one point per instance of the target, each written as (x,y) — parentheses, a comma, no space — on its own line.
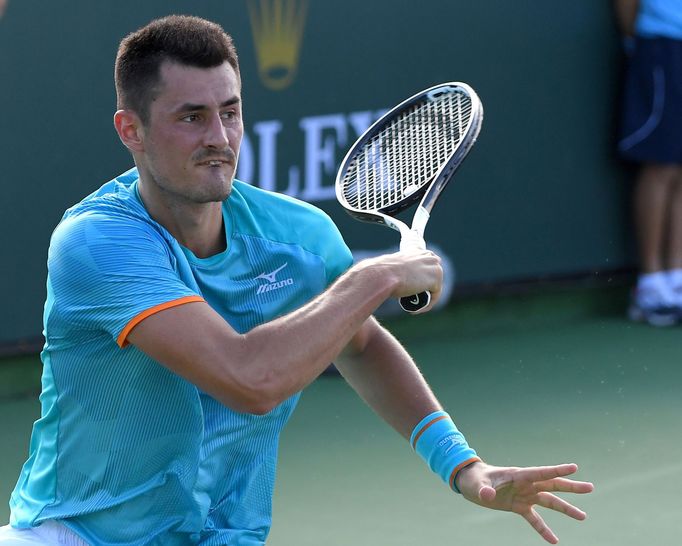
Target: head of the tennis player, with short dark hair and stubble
(179,94)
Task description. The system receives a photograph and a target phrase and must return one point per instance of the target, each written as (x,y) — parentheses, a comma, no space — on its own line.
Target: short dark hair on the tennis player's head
(183,39)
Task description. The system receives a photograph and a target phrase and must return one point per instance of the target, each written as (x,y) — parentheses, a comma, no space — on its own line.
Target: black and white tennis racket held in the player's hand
(408,154)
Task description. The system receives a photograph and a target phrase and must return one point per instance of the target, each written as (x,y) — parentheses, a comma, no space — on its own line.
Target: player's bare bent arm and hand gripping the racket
(255,371)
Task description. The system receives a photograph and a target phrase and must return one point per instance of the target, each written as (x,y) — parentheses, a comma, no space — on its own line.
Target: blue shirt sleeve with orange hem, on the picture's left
(108,272)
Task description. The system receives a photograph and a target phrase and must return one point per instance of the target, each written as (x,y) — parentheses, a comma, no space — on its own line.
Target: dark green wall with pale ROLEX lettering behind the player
(542,194)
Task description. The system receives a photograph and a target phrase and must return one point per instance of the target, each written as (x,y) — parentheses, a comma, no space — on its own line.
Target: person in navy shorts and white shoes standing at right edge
(651,136)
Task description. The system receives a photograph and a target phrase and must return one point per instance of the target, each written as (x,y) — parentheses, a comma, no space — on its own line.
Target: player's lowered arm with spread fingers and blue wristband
(384,375)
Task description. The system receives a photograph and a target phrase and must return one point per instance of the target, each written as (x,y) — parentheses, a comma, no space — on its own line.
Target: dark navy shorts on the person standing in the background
(651,129)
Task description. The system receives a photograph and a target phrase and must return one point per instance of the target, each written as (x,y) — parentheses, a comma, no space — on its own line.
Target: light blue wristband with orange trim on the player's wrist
(443,447)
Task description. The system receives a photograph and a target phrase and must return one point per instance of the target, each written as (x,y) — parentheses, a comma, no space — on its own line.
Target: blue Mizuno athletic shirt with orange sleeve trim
(125,451)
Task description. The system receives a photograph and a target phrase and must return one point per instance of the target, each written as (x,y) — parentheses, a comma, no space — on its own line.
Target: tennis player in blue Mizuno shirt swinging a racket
(185,312)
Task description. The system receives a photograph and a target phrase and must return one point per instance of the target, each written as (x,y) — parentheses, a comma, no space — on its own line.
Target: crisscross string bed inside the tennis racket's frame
(406,154)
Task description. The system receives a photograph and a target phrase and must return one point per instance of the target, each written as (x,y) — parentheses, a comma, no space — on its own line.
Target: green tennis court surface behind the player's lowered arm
(559,377)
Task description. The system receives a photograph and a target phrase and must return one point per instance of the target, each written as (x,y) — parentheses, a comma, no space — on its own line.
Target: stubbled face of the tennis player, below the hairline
(194,134)
